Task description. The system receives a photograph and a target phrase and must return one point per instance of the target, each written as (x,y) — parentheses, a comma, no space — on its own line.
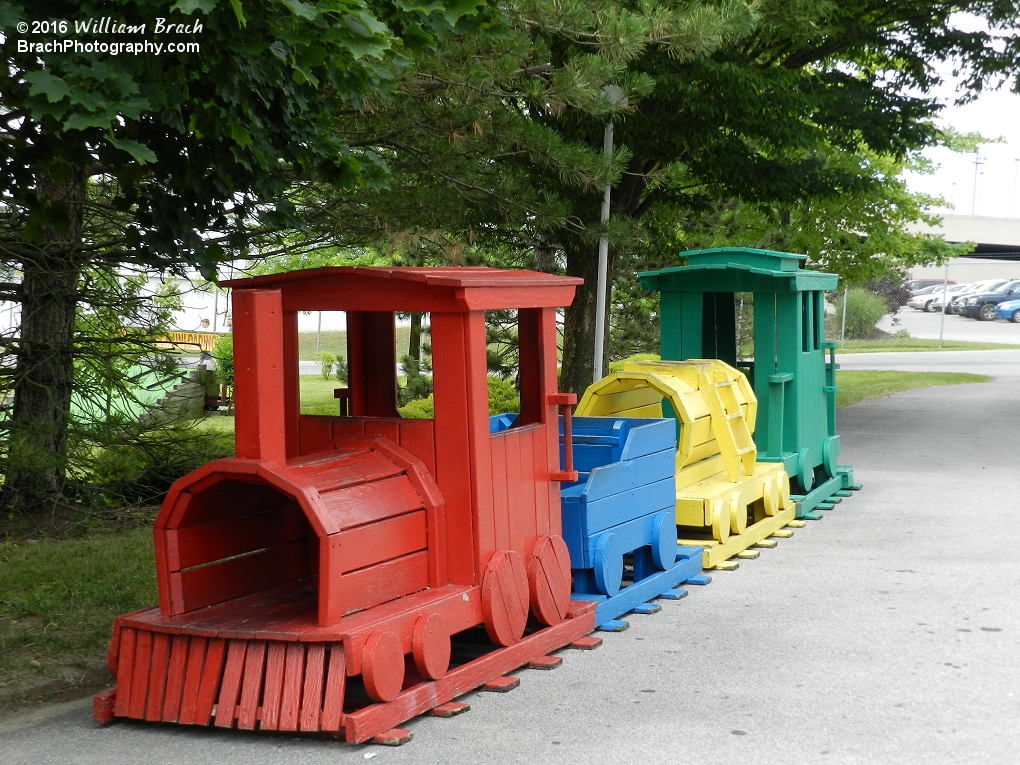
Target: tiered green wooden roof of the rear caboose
(739,270)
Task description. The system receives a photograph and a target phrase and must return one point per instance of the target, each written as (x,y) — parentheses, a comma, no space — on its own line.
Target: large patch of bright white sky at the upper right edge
(996,115)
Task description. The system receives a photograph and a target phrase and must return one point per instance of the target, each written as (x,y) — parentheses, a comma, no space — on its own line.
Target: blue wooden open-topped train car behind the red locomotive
(620,518)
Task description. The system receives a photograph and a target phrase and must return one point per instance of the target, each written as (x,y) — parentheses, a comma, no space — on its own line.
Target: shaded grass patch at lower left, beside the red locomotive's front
(58,604)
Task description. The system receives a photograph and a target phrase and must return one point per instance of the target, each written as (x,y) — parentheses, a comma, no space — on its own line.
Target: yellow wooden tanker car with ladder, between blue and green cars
(727,501)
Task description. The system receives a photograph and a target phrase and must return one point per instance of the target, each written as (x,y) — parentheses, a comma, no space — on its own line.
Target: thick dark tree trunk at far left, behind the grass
(45,370)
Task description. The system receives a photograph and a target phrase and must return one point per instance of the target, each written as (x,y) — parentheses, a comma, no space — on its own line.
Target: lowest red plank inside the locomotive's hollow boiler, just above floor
(237,577)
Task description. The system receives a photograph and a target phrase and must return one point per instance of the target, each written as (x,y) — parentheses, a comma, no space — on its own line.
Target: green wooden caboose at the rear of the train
(792,368)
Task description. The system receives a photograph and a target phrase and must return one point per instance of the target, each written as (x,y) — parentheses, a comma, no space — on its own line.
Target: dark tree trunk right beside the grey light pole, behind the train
(579,322)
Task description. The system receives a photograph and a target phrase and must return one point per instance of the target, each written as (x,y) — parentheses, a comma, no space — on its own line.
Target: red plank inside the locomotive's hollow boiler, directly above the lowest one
(224,539)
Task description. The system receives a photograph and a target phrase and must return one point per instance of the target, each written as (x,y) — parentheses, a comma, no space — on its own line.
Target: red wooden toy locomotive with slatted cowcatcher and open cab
(316,582)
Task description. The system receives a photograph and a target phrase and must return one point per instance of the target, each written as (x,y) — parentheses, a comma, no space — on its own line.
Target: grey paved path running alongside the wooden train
(887,633)
